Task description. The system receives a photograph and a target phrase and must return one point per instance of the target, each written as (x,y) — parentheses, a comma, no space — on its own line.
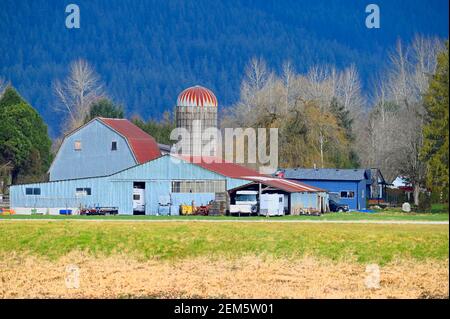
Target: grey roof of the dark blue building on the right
(326,174)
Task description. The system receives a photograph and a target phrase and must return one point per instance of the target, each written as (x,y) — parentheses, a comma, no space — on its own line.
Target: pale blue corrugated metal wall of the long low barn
(116,190)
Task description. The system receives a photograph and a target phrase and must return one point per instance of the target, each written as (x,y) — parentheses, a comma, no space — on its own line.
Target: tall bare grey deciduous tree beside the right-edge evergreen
(394,126)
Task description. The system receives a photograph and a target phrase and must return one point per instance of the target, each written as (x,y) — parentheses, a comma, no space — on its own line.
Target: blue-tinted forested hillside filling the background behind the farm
(146,52)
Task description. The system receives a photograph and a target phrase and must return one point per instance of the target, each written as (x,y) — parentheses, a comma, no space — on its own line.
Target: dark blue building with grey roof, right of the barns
(355,187)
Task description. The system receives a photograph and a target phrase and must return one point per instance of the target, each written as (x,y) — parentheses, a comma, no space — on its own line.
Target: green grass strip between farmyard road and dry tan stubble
(340,242)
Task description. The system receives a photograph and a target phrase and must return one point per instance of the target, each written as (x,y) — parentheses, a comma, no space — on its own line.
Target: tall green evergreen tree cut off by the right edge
(435,149)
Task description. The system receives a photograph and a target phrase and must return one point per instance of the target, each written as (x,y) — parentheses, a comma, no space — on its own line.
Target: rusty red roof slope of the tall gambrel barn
(143,145)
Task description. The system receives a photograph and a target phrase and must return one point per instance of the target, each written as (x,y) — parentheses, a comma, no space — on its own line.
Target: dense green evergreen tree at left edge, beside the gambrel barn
(24,141)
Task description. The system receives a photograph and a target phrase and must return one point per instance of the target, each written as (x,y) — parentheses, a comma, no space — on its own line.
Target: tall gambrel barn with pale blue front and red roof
(101,147)
